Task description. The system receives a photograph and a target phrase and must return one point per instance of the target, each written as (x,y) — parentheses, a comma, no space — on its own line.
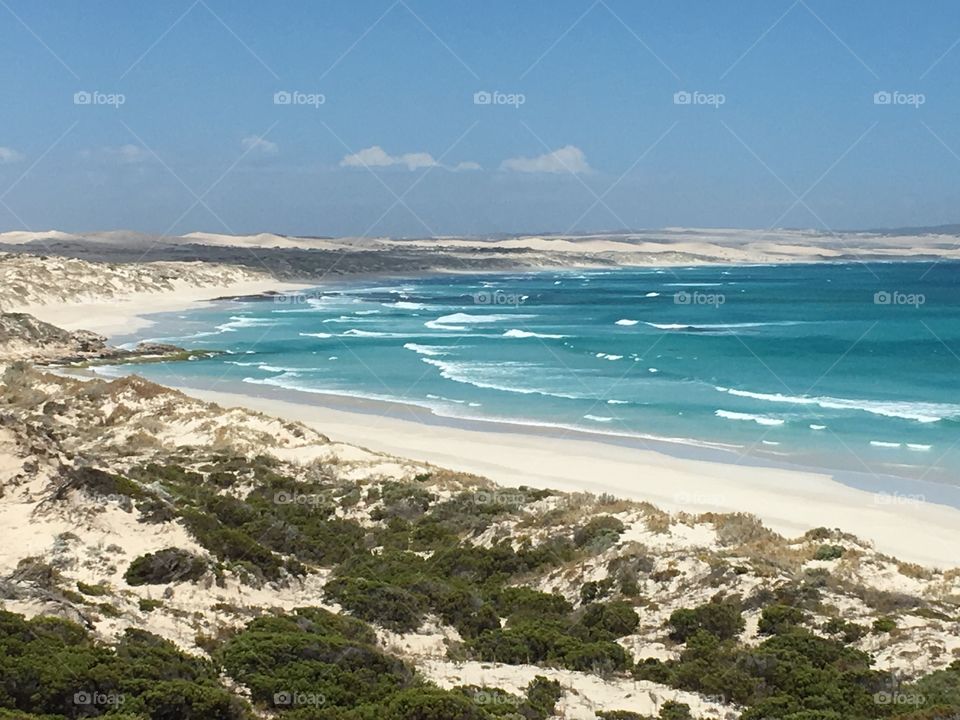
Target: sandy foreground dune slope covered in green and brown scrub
(303,589)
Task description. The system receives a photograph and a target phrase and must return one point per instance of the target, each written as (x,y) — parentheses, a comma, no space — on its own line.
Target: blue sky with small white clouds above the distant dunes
(782,129)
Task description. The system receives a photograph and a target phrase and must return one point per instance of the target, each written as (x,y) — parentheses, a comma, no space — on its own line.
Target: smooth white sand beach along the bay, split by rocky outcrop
(788,501)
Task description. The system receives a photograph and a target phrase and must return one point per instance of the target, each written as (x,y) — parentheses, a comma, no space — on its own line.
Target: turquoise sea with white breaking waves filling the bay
(846,367)
